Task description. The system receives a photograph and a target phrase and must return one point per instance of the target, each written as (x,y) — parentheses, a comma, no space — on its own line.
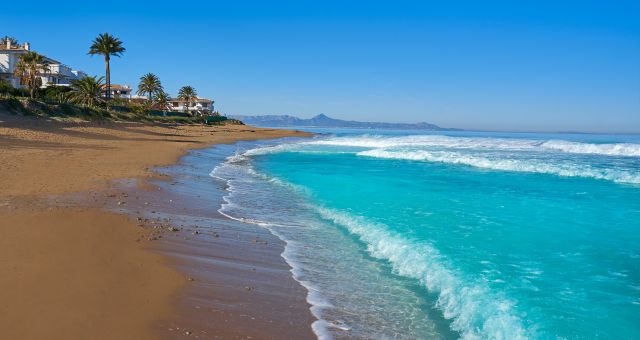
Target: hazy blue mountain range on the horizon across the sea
(323,120)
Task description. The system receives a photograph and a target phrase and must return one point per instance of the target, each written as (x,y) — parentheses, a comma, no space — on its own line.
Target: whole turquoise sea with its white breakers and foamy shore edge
(466,235)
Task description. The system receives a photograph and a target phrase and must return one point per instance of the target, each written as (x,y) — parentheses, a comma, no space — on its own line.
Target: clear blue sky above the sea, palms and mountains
(483,65)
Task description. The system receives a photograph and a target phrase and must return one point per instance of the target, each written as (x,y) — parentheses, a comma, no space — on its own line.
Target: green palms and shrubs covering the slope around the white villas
(89,98)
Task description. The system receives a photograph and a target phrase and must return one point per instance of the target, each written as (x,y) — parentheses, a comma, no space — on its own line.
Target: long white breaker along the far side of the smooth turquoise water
(508,164)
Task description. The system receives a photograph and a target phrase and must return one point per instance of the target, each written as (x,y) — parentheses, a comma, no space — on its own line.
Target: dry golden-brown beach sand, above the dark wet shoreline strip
(79,273)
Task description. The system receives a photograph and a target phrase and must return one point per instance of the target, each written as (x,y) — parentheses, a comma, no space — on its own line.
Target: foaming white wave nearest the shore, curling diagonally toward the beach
(475,311)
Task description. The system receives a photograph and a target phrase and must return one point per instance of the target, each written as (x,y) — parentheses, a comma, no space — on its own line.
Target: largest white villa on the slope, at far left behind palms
(58,73)
